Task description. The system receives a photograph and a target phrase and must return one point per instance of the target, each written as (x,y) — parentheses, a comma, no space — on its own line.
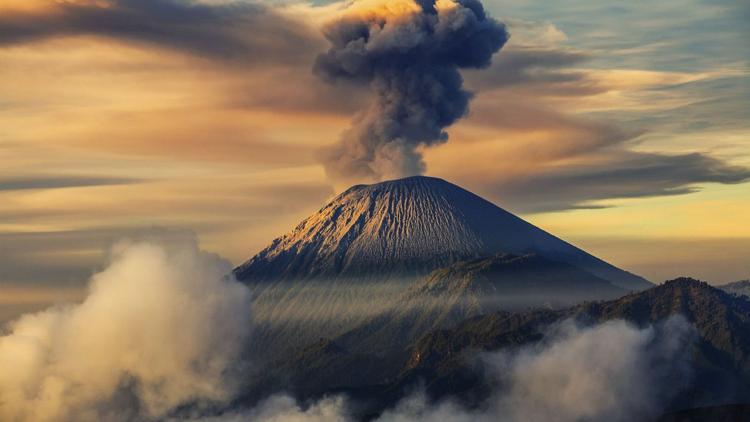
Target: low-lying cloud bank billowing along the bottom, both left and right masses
(162,332)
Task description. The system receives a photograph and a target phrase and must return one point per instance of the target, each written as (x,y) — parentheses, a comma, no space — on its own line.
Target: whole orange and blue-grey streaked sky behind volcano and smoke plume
(622,127)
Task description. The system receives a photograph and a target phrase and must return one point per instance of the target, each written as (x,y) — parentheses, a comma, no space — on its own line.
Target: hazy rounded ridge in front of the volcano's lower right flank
(466,289)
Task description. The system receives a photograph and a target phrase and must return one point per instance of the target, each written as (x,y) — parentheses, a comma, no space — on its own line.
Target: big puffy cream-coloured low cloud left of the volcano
(160,328)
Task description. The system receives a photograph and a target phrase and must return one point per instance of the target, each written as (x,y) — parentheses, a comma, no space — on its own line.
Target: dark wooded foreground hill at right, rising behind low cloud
(721,356)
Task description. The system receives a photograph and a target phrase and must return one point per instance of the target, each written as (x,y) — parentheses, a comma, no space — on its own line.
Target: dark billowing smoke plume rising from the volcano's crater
(409,53)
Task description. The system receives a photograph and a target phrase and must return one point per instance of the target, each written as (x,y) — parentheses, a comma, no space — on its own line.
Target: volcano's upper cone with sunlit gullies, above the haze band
(410,227)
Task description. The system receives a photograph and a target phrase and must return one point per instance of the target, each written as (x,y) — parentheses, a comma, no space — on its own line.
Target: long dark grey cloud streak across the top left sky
(241,31)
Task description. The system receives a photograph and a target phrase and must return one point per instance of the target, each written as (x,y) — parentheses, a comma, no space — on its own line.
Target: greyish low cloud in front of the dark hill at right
(613,371)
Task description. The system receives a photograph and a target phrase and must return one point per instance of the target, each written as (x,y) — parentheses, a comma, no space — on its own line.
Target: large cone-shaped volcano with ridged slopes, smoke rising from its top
(396,259)
